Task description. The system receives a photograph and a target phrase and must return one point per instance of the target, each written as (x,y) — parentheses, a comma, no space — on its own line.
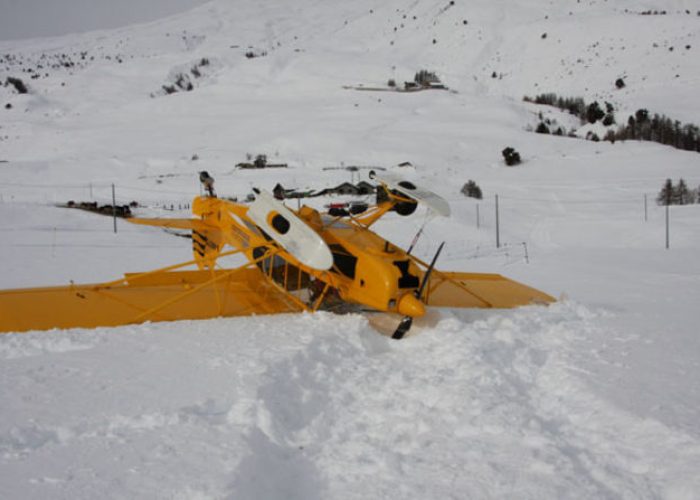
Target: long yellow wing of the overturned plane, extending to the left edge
(159,297)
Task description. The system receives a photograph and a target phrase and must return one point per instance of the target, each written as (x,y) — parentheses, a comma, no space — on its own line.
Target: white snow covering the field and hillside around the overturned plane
(597,396)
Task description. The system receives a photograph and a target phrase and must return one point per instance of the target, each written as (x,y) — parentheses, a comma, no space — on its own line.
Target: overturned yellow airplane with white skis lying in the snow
(295,260)
